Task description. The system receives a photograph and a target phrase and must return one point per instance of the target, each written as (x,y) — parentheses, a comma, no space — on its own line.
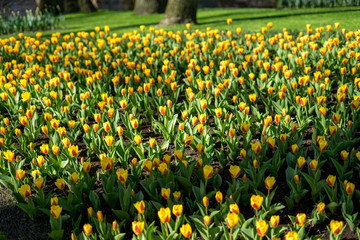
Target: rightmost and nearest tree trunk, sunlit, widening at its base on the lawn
(180,11)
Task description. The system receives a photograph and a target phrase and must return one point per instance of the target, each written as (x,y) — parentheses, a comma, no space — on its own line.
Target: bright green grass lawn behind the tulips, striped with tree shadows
(247,19)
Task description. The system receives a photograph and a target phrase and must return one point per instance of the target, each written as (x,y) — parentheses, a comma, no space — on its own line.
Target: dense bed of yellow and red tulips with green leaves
(187,134)
